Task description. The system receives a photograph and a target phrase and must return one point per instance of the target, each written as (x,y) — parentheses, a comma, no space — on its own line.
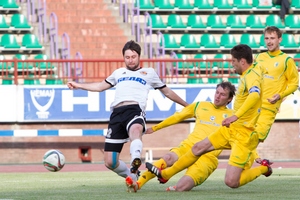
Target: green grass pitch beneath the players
(102,185)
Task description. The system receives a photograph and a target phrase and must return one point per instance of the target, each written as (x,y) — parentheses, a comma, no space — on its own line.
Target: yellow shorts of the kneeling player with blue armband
(240,140)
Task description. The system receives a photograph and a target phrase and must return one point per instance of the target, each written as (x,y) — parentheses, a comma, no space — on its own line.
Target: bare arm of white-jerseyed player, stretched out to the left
(94,87)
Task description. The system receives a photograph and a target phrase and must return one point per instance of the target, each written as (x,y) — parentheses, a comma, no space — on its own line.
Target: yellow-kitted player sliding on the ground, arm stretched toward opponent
(209,117)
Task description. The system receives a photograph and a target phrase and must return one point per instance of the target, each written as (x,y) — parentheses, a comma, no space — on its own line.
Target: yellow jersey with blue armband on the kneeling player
(247,102)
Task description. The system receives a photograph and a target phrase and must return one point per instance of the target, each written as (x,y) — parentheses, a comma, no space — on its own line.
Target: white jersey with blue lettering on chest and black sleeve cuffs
(134,85)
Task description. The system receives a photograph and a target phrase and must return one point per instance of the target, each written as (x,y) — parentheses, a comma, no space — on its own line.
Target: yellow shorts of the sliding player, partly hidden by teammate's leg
(203,167)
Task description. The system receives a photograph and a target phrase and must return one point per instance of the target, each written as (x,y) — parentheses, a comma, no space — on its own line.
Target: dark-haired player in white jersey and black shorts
(127,121)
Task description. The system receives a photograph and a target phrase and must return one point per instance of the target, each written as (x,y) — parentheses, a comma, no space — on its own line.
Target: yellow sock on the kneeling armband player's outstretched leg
(182,163)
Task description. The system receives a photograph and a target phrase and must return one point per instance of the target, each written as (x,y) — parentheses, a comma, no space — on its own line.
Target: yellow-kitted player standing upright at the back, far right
(281,79)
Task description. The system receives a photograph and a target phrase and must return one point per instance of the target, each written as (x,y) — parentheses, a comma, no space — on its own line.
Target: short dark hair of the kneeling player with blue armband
(242,51)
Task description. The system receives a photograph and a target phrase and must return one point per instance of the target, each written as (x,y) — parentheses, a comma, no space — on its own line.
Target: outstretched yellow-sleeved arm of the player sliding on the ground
(185,113)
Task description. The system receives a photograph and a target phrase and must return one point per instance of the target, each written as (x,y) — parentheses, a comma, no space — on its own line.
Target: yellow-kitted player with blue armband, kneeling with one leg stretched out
(237,132)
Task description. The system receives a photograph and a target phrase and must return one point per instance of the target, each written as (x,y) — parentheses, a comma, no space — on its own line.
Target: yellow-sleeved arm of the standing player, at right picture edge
(292,77)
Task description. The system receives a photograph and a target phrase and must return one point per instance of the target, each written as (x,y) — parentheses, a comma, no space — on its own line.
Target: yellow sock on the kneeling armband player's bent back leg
(249,175)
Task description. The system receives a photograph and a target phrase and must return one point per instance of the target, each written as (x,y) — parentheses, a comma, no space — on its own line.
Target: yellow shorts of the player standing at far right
(264,123)
